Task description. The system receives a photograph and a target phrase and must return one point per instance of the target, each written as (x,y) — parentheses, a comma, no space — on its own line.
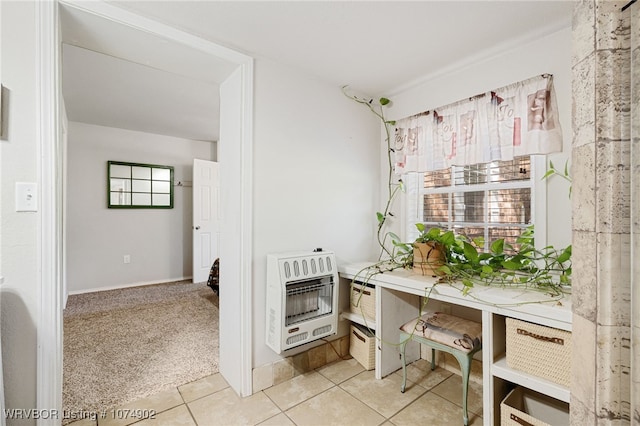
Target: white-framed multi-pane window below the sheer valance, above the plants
(490,200)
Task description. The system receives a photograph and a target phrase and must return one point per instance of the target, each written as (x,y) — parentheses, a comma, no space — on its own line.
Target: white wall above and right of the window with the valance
(550,54)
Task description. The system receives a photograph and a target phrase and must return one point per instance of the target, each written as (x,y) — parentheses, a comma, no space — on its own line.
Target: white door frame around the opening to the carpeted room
(49,84)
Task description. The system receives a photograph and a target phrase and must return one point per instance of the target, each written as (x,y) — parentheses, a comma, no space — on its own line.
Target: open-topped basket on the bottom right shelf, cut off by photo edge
(523,407)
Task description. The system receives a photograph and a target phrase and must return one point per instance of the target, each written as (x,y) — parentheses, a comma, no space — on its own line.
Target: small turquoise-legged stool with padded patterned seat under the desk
(458,336)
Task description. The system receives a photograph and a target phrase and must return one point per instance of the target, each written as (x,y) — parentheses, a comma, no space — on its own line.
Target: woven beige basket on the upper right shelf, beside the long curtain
(538,350)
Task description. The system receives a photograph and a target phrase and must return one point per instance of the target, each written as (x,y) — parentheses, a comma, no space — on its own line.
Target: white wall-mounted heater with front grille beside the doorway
(302,298)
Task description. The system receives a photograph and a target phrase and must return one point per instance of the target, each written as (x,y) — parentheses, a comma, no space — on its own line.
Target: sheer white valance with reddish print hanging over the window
(519,119)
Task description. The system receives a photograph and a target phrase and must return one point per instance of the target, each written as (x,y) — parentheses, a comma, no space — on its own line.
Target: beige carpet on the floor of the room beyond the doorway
(123,345)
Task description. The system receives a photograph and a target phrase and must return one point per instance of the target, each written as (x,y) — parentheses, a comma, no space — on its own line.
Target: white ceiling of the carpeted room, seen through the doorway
(117,76)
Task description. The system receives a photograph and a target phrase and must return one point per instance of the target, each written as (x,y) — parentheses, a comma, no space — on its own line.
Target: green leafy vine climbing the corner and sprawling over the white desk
(547,270)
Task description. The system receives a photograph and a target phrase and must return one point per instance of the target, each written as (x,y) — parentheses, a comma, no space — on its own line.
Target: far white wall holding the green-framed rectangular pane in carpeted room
(159,241)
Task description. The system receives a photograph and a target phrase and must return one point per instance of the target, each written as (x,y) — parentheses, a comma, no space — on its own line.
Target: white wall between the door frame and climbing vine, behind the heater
(315,176)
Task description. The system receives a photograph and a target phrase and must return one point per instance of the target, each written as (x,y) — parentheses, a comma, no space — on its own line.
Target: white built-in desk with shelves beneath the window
(397,301)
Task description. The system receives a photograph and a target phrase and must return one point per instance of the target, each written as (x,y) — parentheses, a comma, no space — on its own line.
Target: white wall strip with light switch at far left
(19,251)
